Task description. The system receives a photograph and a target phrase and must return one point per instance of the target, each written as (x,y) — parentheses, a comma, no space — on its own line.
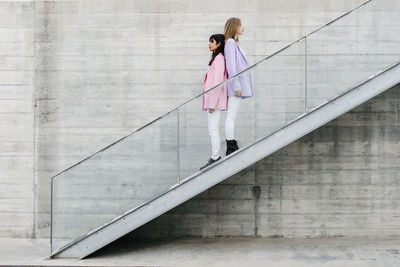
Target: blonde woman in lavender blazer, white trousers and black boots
(240,87)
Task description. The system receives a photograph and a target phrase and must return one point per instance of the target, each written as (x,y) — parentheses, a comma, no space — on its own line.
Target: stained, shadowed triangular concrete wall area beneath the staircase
(340,180)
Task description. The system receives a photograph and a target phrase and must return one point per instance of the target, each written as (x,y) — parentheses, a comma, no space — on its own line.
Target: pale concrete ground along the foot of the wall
(217,252)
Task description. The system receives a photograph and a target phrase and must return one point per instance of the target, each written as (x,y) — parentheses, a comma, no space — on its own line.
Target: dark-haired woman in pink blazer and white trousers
(215,100)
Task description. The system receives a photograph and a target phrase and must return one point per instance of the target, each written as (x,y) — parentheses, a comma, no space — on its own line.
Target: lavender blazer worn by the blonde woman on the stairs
(236,61)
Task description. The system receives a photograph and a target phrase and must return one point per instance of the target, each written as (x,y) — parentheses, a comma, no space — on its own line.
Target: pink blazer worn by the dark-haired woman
(218,97)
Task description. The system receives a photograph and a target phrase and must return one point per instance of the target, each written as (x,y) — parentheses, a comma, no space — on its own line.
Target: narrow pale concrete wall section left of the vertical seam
(17,122)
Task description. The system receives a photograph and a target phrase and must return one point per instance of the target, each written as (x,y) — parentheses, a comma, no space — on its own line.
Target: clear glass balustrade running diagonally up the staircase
(288,84)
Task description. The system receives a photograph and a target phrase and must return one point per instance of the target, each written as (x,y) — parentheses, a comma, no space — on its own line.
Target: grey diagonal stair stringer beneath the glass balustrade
(225,168)
